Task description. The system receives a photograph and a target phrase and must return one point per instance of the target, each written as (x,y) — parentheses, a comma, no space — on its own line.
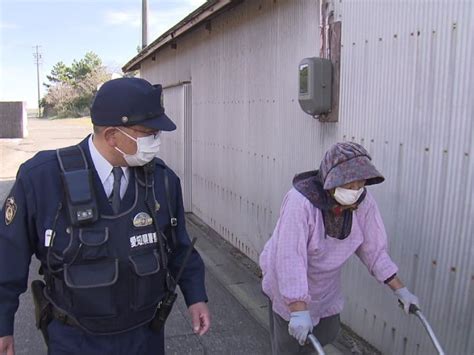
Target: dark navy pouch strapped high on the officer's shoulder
(77,181)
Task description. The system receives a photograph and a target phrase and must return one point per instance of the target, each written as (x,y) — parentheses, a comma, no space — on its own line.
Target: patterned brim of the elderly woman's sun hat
(358,168)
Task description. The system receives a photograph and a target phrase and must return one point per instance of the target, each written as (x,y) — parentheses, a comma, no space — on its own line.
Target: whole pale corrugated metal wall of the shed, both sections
(406,94)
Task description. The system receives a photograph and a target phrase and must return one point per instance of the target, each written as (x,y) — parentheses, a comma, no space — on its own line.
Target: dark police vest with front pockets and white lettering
(110,275)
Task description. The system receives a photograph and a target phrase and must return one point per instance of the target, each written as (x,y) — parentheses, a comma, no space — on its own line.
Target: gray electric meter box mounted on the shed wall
(315,78)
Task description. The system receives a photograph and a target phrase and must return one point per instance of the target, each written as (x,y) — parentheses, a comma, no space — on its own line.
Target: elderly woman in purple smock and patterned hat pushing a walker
(326,217)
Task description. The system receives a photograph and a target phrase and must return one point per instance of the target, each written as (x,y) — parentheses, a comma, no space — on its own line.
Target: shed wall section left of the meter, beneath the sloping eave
(243,101)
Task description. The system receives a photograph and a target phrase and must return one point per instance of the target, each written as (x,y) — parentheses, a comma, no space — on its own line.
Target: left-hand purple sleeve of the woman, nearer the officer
(291,251)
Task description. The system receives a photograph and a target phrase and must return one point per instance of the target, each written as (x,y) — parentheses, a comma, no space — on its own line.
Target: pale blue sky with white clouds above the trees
(66,30)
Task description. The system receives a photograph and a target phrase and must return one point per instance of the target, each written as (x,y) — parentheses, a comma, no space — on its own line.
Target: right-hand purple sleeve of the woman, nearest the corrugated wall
(373,250)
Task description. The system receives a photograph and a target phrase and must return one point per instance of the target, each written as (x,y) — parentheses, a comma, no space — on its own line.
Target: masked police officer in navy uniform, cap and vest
(106,220)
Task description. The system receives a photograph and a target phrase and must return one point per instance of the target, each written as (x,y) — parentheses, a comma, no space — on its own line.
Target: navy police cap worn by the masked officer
(128,102)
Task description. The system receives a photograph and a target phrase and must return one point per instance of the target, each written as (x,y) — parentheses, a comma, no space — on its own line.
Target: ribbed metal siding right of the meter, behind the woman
(407,96)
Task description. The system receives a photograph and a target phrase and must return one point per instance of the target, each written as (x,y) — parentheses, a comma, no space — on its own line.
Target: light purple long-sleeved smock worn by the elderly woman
(300,263)
